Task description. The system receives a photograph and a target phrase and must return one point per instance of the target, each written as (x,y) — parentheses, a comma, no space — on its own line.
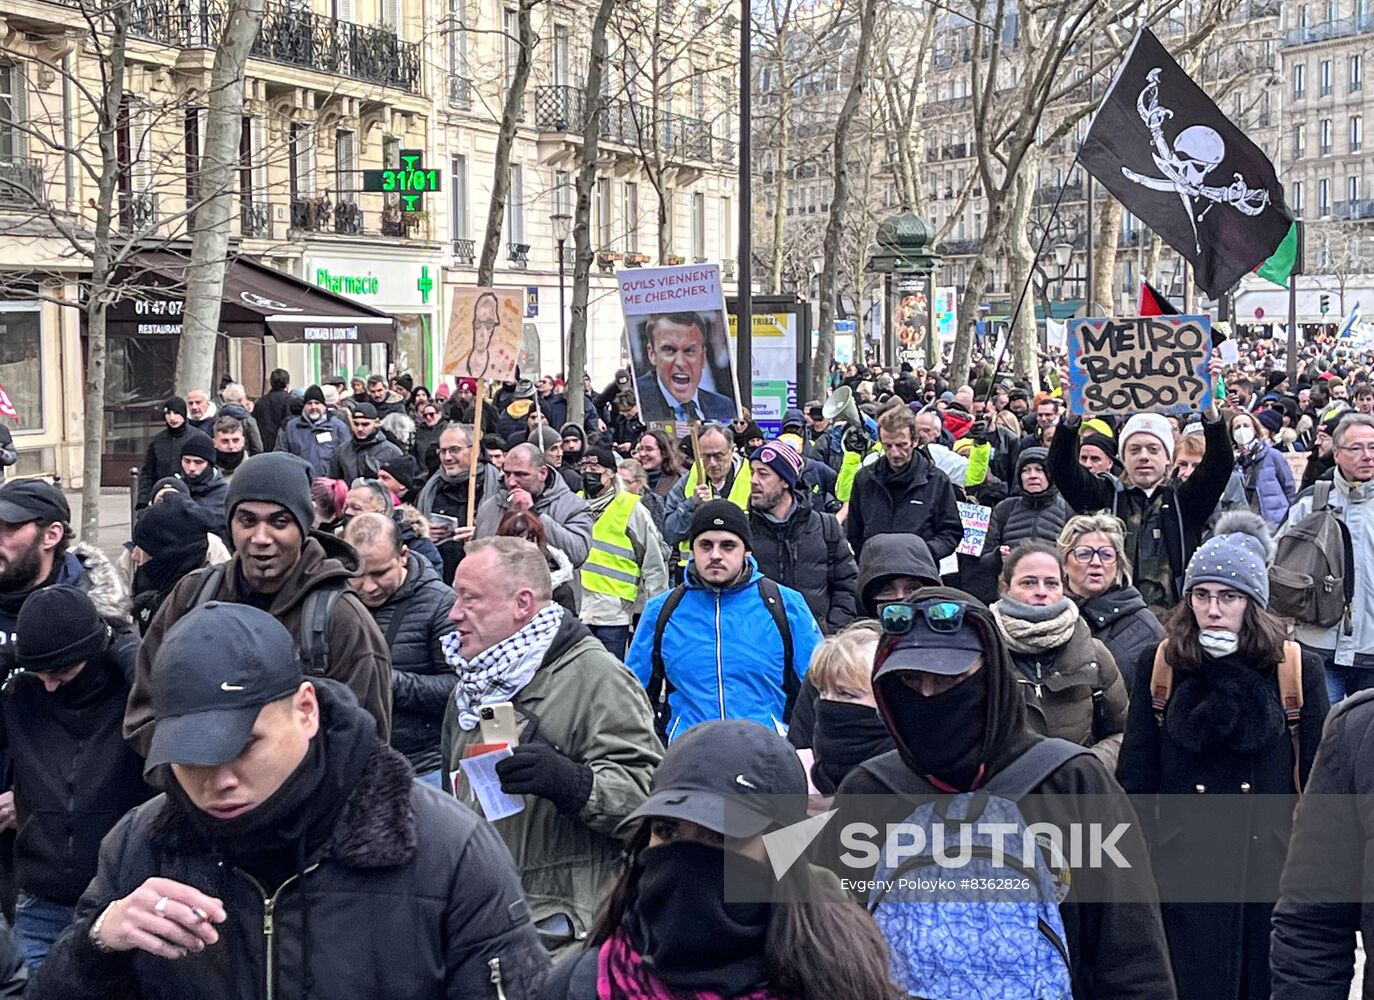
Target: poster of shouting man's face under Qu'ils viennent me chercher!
(679,344)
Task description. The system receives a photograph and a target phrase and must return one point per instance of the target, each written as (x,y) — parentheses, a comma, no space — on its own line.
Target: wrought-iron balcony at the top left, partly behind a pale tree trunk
(289,35)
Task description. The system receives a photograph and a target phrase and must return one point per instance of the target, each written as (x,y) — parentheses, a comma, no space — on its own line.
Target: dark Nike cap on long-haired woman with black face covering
(734,778)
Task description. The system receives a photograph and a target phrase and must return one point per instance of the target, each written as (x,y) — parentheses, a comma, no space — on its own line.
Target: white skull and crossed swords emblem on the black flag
(1196,152)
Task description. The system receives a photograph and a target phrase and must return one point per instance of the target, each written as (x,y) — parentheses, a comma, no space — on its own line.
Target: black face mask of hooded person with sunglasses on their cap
(942,736)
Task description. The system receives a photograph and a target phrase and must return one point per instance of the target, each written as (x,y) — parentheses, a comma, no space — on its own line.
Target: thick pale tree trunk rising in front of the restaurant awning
(214,185)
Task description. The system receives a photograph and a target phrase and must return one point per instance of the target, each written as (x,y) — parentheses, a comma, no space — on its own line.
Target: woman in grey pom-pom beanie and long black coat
(1225,707)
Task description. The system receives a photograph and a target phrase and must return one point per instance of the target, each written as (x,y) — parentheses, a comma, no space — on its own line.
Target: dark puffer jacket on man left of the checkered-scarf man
(413,623)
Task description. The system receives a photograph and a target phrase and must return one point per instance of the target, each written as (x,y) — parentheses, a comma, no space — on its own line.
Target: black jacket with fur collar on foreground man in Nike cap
(413,896)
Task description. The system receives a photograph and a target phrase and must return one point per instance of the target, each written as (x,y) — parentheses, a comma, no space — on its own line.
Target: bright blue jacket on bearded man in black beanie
(723,653)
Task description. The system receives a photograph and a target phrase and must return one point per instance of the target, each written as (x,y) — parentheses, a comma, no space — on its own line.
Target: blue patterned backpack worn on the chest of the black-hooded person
(987,944)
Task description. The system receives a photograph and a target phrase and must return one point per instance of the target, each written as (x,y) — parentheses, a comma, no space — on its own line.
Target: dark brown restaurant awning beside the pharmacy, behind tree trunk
(258,302)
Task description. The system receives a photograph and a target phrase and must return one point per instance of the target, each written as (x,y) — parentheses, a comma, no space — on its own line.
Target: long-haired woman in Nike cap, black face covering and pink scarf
(670,931)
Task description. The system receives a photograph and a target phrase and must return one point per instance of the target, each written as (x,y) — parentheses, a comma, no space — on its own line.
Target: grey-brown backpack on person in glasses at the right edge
(1313,578)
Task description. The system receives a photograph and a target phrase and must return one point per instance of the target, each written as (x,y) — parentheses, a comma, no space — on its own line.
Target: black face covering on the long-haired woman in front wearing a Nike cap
(686,932)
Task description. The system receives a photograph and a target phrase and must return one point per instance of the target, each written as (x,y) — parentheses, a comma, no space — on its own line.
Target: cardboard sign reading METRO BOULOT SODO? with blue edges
(1140,365)
